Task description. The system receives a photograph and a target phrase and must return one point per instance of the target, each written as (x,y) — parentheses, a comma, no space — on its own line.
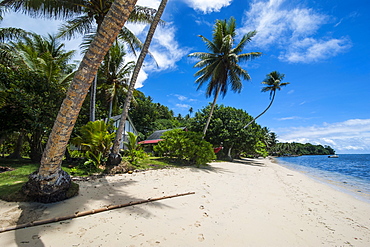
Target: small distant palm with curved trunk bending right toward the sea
(273,80)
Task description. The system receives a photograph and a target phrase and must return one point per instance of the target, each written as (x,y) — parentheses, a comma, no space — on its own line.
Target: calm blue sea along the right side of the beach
(349,173)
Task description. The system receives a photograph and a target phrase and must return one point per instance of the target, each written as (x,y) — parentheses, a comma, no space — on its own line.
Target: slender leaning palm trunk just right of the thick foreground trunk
(114,157)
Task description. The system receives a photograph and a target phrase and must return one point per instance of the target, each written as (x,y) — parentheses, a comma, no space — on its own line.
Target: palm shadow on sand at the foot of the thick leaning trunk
(94,194)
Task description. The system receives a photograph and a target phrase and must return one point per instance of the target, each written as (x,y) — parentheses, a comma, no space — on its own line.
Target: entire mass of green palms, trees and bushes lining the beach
(37,79)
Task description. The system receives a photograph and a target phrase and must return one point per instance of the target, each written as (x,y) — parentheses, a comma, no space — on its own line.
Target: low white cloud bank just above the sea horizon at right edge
(345,137)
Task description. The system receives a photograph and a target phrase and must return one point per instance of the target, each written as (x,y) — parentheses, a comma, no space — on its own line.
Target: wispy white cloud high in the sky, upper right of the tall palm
(293,30)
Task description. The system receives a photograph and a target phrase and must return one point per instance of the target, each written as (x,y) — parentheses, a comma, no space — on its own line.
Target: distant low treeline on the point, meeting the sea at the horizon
(294,148)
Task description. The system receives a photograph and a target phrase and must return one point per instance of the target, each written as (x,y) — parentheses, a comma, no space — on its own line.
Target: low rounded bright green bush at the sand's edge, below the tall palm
(185,146)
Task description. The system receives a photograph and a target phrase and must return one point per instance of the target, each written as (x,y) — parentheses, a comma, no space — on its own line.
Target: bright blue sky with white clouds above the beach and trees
(322,47)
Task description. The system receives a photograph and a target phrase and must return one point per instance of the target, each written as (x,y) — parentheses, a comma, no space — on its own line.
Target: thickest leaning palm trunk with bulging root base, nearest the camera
(50,183)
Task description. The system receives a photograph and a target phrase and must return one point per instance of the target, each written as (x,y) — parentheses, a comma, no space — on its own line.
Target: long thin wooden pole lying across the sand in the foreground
(84,213)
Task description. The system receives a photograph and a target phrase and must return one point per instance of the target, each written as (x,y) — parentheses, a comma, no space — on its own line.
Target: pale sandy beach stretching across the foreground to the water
(246,203)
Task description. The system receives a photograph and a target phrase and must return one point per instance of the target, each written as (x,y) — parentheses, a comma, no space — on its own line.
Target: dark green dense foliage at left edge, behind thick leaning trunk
(29,105)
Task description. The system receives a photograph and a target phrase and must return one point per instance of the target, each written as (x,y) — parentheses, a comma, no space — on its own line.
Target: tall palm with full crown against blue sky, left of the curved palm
(220,67)
